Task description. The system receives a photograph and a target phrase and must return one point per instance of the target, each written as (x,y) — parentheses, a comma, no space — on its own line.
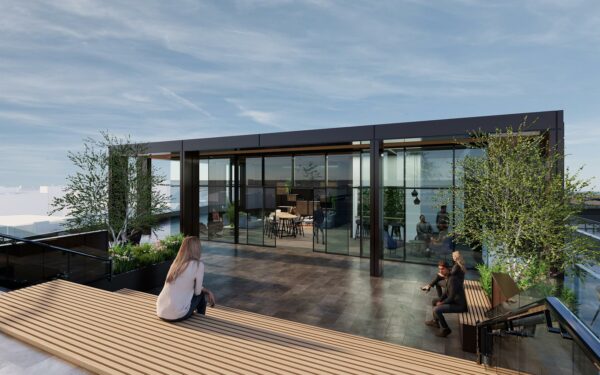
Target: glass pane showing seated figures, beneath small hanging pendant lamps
(427,240)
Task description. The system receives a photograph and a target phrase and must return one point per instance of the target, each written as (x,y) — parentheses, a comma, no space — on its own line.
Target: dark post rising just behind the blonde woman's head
(189,207)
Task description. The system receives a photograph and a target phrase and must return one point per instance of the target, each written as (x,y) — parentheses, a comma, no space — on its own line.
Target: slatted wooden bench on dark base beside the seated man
(478,304)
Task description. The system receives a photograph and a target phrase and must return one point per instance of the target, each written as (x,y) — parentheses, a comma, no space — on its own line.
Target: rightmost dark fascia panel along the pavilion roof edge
(462,126)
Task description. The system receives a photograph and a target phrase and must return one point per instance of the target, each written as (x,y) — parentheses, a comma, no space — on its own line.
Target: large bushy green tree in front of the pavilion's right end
(519,203)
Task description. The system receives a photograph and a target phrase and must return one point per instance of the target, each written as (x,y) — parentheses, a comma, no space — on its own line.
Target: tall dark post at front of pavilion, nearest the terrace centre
(376,208)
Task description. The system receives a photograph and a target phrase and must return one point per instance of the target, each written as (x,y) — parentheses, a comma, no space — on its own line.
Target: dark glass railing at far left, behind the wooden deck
(25,262)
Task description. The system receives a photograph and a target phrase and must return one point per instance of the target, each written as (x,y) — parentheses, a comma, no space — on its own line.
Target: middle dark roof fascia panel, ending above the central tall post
(316,137)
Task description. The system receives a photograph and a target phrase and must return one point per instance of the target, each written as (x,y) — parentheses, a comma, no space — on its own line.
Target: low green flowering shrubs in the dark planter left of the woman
(129,257)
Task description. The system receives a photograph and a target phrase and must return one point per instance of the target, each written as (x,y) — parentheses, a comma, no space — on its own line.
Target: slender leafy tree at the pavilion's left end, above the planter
(113,188)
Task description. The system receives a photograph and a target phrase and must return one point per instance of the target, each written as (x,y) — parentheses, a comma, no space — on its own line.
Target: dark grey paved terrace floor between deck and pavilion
(330,291)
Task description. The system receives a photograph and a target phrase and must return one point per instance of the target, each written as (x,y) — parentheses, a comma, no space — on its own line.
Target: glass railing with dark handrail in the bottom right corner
(544,337)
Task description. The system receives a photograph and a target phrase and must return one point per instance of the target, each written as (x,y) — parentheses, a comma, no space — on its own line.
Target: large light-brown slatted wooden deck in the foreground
(119,333)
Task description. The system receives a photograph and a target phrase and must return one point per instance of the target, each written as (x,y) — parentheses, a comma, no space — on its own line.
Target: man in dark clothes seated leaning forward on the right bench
(453,301)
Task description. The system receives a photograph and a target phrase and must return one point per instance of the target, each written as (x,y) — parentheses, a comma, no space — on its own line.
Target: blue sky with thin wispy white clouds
(163,70)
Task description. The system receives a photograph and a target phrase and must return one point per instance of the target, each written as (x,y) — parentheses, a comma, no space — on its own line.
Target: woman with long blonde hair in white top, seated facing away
(183,292)
